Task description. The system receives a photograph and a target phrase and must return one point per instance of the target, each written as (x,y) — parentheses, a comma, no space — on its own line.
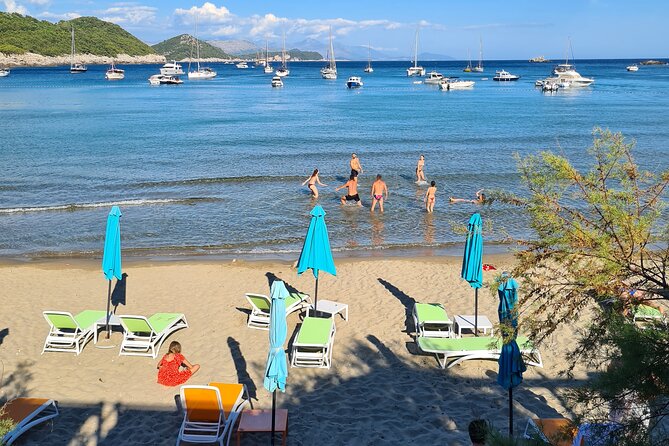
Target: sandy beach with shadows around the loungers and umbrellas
(380,390)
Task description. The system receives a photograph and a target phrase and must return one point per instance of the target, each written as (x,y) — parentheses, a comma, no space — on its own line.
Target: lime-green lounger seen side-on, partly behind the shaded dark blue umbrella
(464,349)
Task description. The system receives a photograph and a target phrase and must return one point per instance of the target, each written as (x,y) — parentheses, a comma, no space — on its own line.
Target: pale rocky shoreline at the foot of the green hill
(37,60)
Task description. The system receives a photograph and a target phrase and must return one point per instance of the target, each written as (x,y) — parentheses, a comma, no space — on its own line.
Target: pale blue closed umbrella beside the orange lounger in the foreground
(276,371)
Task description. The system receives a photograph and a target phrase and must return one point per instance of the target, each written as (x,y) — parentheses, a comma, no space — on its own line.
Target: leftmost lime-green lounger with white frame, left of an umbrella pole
(68,333)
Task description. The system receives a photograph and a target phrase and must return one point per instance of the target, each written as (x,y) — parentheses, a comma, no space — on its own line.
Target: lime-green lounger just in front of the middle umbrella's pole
(313,345)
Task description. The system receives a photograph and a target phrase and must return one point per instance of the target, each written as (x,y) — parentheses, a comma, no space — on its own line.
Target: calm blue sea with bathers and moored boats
(215,167)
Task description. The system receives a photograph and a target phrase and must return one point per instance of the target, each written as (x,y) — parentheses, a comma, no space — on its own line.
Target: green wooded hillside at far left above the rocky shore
(20,34)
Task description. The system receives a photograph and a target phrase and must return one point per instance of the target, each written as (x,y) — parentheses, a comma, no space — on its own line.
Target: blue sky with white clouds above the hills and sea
(513,29)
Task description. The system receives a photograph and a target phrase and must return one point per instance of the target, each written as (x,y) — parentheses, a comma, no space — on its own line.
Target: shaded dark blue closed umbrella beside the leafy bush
(511,365)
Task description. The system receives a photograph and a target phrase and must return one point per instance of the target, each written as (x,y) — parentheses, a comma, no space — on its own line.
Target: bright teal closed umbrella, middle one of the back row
(316,254)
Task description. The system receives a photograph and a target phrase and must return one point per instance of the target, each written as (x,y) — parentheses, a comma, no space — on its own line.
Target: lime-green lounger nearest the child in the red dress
(143,337)
